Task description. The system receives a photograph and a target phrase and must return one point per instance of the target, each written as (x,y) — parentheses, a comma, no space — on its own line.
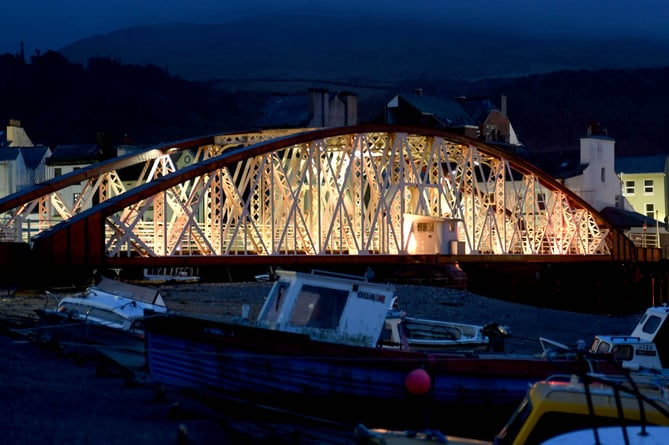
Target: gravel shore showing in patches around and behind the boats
(51,398)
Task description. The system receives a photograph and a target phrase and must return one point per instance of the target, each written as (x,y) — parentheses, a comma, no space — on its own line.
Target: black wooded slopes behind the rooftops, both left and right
(59,102)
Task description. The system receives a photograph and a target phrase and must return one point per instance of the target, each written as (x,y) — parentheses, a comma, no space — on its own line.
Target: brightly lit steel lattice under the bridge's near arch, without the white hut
(352,193)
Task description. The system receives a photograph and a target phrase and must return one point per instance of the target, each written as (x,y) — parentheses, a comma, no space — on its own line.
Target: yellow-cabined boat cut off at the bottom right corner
(565,409)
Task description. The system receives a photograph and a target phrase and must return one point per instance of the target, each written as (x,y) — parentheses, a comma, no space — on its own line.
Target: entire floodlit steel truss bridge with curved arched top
(325,196)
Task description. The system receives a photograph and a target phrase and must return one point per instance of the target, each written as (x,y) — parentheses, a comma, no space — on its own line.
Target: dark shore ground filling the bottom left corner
(48,397)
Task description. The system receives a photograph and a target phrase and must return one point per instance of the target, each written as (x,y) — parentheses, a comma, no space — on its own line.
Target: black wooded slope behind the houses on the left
(59,102)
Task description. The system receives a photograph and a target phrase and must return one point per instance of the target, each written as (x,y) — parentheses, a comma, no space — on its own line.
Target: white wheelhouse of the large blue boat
(327,306)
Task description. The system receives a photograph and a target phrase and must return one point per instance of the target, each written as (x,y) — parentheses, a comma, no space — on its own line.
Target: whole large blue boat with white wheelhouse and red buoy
(315,347)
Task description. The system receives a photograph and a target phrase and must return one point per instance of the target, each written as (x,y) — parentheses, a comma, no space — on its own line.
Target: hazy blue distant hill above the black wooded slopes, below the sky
(358,50)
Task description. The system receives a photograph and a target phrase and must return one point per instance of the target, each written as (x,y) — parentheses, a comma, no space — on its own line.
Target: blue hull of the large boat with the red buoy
(292,371)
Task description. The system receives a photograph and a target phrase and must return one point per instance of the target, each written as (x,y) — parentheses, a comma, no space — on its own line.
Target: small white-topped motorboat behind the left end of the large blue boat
(110,313)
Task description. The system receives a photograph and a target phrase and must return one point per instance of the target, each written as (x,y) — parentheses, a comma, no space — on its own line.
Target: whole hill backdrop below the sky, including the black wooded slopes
(164,83)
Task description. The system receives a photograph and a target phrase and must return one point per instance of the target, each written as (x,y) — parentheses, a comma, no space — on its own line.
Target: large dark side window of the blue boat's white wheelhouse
(319,307)
